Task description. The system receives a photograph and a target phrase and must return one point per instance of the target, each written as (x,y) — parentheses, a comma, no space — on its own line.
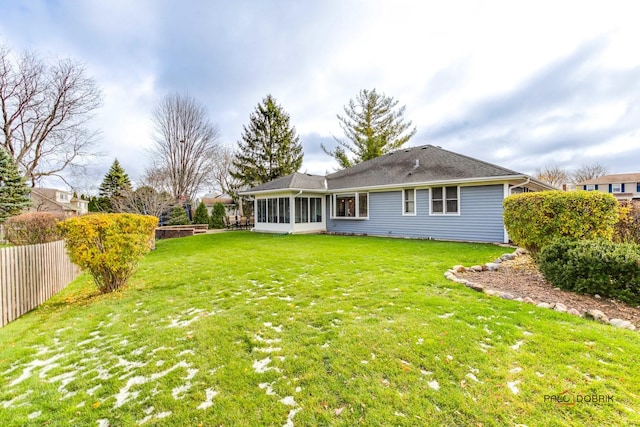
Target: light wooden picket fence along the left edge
(30,275)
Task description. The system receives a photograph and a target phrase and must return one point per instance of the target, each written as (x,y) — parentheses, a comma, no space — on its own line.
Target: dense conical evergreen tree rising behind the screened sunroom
(270,147)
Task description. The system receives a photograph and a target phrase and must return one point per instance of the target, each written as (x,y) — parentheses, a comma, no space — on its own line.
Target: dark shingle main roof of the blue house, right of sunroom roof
(426,163)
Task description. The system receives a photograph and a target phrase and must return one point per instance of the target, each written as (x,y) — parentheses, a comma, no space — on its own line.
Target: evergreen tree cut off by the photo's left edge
(14,192)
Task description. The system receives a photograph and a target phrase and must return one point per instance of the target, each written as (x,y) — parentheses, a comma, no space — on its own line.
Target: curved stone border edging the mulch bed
(557,306)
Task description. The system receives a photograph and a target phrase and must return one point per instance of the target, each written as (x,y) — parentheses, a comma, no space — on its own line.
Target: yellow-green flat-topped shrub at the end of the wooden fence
(109,246)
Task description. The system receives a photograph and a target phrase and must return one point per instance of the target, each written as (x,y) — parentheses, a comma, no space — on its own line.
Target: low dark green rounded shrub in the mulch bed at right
(593,267)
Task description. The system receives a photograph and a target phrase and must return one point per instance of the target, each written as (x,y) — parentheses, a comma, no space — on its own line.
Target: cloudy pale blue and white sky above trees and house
(520,84)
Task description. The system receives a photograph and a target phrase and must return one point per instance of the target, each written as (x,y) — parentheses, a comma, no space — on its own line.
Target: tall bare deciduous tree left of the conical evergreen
(186,145)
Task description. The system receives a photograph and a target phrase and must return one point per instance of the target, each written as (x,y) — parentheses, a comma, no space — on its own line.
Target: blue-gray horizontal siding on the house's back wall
(480,217)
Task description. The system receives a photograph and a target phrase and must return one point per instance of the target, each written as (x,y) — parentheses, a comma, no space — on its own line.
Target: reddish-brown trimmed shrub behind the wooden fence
(33,227)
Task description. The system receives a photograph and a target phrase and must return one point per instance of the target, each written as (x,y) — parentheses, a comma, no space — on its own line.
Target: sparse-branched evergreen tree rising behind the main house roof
(373,127)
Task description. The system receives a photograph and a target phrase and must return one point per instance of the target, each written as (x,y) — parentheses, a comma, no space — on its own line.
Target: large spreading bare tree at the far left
(44,113)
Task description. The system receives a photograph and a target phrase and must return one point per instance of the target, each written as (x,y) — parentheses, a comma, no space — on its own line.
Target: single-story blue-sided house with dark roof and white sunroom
(420,192)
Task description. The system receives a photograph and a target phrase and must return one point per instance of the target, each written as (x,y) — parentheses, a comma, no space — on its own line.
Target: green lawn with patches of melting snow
(241,329)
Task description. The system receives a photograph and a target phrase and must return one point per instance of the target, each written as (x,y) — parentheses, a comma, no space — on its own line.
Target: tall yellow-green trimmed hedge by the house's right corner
(535,219)
